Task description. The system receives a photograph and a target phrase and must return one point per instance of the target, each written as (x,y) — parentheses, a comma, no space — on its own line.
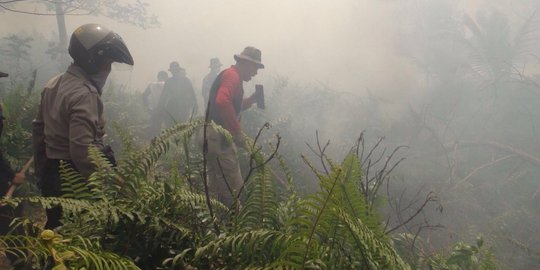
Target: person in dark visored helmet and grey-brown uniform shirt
(70,115)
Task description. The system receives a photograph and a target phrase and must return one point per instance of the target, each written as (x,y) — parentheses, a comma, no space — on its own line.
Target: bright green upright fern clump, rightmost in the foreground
(337,216)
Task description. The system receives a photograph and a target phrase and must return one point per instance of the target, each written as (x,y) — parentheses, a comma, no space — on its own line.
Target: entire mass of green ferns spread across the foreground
(143,213)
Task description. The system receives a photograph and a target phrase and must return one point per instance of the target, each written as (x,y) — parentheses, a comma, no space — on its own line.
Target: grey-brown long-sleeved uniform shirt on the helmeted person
(70,119)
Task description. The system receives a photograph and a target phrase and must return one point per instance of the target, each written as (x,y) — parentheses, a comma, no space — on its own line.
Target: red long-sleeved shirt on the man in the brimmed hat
(231,89)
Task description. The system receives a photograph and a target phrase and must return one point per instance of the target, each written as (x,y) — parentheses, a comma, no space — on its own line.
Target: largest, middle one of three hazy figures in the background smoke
(178,101)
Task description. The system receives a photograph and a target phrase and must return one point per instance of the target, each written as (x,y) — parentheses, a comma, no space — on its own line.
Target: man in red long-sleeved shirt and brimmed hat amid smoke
(226,103)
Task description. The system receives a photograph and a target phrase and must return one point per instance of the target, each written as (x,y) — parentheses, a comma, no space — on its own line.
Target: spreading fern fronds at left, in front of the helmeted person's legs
(116,204)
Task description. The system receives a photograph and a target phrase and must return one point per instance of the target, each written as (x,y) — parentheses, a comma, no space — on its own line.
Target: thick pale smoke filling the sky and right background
(458,82)
